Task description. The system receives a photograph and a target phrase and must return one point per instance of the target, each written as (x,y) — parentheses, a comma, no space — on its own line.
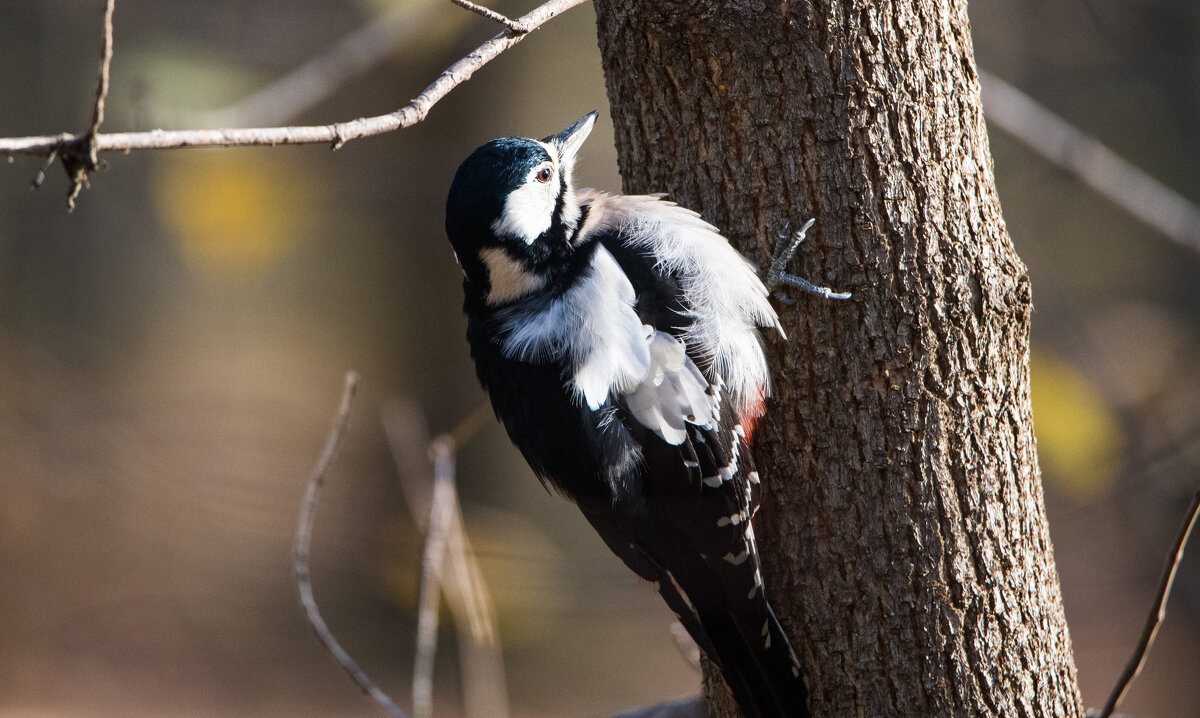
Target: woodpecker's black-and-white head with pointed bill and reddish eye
(512,212)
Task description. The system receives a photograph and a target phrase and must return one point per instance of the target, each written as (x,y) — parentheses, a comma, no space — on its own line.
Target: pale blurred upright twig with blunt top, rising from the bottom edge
(441,516)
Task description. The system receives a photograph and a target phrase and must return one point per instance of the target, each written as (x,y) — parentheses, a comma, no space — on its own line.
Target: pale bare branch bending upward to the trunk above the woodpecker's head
(337,134)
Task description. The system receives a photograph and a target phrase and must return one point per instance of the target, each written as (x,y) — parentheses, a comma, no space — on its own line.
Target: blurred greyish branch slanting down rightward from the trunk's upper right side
(1091,163)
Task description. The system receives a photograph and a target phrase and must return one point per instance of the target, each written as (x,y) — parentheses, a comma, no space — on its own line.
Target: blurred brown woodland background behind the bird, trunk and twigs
(172,355)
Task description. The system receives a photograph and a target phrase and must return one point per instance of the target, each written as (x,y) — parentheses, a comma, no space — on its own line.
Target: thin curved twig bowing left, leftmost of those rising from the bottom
(304,540)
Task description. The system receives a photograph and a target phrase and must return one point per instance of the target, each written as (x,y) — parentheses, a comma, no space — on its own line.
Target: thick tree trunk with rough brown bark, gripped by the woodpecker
(904,529)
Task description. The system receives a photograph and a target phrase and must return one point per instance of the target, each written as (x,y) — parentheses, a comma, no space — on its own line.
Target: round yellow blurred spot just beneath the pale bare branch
(233,213)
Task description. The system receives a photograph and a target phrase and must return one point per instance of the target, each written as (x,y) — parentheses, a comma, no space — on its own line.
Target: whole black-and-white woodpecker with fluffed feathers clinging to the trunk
(619,340)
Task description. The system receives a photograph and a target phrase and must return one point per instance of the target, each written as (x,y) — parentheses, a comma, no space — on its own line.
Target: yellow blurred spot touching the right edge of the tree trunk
(1079,438)
